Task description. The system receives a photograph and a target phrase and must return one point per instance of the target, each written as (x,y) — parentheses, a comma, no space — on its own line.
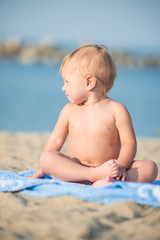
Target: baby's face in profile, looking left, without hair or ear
(74,85)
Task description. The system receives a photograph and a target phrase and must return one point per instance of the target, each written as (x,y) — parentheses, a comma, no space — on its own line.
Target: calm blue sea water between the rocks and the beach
(31,97)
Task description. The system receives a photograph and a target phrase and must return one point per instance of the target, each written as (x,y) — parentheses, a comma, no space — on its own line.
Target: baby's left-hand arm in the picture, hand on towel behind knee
(57,137)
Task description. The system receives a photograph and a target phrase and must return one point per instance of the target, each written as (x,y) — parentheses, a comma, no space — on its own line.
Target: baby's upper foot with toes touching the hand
(109,168)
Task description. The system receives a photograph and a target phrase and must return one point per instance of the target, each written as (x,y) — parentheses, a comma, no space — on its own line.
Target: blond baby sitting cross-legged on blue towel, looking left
(101,138)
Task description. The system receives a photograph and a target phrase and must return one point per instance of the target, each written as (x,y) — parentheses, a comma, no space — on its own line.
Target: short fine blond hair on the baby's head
(95,61)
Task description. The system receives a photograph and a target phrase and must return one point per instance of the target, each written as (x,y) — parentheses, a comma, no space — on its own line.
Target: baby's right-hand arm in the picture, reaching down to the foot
(127,139)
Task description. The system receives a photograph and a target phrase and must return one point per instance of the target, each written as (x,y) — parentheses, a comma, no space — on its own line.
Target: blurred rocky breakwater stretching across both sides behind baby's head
(48,52)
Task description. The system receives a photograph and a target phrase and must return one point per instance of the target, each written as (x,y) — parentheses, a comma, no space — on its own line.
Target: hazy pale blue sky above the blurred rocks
(116,23)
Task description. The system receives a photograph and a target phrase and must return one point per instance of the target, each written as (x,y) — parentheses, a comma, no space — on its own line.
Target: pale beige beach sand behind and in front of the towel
(26,217)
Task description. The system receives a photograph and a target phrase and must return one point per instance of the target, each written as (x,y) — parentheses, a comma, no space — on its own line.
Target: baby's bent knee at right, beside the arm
(142,171)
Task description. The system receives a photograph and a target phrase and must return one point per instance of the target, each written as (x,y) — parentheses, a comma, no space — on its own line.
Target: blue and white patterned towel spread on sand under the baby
(142,193)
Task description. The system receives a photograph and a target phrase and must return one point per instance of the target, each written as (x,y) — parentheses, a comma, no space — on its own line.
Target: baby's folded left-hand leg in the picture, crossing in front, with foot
(65,168)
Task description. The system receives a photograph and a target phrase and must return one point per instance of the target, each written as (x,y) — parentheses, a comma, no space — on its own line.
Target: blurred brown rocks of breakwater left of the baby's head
(44,52)
